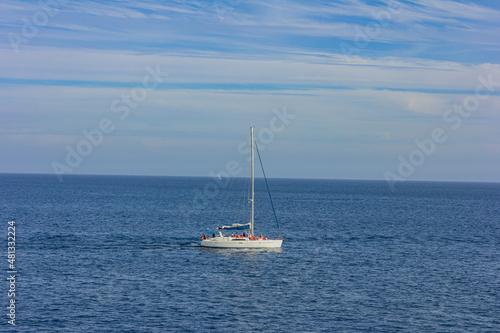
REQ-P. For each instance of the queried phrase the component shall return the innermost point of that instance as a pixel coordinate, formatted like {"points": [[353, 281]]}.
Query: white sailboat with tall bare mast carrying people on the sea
{"points": [[248, 240]]}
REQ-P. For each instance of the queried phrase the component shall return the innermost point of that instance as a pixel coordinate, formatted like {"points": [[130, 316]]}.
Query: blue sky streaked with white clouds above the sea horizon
{"points": [[394, 90]]}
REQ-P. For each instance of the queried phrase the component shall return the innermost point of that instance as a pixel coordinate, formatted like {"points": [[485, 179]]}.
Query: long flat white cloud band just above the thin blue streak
{"points": [[129, 67]]}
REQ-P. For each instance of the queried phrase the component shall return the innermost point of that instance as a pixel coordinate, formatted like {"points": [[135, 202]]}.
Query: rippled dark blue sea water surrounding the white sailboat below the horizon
{"points": [[121, 254]]}
